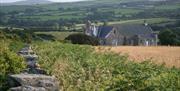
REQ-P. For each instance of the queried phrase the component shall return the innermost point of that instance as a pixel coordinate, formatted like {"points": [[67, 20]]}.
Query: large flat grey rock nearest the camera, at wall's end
{"points": [[33, 82]]}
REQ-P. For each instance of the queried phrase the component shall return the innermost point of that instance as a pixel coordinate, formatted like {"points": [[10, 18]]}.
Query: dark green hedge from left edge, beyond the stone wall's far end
{"points": [[25, 36]]}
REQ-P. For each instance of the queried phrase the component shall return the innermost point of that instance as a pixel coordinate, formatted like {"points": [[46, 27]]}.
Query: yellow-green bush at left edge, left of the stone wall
{"points": [[10, 63]]}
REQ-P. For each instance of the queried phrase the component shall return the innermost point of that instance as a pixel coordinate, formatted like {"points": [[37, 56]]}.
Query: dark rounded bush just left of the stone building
{"points": [[82, 39]]}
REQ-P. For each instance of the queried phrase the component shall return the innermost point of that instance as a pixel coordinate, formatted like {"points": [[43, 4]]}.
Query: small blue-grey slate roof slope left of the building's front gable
{"points": [[103, 31]]}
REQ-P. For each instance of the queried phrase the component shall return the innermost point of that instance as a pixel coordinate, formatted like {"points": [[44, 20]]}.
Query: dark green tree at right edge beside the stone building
{"points": [[169, 37]]}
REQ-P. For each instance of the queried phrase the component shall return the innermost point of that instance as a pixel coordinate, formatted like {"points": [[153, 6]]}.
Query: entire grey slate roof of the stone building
{"points": [[128, 30]]}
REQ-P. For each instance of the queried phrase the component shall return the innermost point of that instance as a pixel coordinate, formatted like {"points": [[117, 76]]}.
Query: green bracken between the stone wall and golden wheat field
{"points": [[79, 68]]}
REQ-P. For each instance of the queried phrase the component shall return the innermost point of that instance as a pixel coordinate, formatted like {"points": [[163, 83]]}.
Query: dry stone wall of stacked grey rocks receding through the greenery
{"points": [[33, 78]]}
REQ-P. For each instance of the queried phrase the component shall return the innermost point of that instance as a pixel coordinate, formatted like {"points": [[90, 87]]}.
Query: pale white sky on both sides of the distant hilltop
{"points": [[7, 1]]}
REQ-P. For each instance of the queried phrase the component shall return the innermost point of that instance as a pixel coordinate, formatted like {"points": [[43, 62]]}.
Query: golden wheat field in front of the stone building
{"points": [[170, 56]]}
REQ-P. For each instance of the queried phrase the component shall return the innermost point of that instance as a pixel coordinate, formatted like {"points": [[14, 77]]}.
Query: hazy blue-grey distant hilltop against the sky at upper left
{"points": [[28, 2]]}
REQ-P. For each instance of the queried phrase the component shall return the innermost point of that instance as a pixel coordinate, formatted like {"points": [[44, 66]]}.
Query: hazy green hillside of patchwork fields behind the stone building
{"points": [[68, 14]]}
